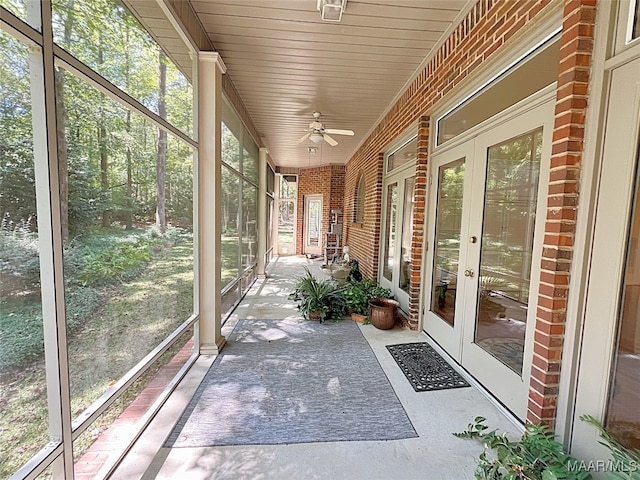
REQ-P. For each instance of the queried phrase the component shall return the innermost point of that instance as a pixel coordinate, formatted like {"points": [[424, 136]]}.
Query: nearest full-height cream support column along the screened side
{"points": [[210, 71]]}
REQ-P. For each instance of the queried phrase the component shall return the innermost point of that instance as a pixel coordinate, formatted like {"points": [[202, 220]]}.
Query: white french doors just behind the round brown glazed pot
{"points": [[397, 227]]}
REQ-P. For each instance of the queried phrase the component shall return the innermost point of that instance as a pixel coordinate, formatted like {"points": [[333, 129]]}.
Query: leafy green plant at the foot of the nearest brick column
{"points": [[536, 456]]}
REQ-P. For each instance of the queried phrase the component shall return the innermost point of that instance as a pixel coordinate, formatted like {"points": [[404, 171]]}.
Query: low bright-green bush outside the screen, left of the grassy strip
{"points": [[121, 261]]}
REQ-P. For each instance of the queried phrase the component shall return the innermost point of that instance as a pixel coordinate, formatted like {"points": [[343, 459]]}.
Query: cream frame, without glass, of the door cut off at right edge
{"points": [[605, 276]]}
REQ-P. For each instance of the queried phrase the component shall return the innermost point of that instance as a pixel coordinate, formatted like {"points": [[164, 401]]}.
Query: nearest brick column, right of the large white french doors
{"points": [[568, 135]]}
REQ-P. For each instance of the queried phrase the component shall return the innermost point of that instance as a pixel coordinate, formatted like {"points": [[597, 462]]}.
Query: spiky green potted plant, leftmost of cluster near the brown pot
{"points": [[318, 299]]}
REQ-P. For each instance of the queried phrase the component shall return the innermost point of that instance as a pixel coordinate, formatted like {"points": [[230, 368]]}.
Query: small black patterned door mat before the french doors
{"points": [[425, 368]]}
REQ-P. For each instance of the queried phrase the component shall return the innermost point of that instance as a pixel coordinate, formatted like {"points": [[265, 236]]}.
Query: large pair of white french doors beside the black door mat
{"points": [[484, 243]]}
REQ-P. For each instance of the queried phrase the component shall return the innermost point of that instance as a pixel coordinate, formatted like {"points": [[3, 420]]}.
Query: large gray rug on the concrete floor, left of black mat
{"points": [[292, 381]]}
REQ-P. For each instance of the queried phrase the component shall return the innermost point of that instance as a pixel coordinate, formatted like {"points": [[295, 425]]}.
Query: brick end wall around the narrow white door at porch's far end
{"points": [[327, 181]]}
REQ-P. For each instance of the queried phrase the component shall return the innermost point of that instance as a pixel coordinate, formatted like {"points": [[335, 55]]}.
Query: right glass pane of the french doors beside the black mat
{"points": [[511, 190]]}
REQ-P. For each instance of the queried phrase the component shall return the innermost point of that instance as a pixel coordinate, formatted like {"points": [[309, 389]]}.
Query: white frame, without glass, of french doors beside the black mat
{"points": [[511, 388]]}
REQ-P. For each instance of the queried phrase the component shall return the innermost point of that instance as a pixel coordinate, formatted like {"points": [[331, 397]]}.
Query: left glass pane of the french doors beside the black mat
{"points": [[447, 240]]}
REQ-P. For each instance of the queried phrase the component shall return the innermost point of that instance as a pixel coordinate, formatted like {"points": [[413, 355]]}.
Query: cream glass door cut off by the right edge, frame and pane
{"points": [[609, 369]]}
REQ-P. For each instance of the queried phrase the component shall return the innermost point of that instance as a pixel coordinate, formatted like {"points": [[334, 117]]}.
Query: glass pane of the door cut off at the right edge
{"points": [[623, 415]]}
